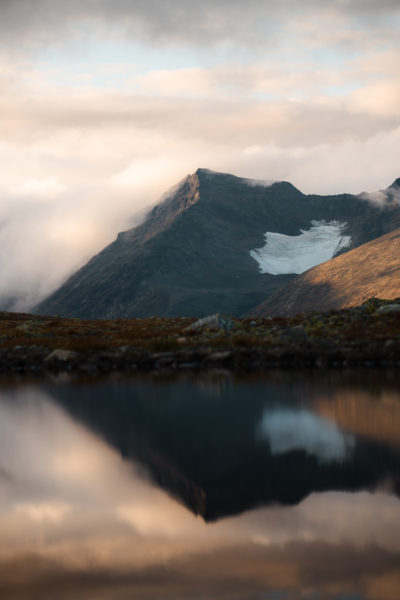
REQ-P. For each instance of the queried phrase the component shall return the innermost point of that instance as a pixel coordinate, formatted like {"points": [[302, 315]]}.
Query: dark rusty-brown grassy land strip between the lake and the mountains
{"points": [[368, 335]]}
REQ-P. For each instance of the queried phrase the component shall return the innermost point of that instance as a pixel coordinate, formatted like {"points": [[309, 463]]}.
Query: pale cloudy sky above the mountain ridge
{"points": [[106, 104]]}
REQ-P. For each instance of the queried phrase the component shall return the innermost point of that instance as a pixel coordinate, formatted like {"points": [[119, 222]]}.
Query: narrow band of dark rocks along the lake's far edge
{"points": [[35, 360]]}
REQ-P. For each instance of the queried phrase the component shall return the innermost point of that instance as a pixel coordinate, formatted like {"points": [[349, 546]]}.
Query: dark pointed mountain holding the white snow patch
{"points": [[203, 249]]}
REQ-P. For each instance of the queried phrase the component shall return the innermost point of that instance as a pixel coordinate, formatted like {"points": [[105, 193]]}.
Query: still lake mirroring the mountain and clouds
{"points": [[274, 487]]}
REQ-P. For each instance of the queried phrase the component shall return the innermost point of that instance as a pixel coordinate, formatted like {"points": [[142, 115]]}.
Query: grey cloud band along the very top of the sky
{"points": [[178, 20]]}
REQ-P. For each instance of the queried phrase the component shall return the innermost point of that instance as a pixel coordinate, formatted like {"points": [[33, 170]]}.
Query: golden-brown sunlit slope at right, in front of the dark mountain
{"points": [[372, 270]]}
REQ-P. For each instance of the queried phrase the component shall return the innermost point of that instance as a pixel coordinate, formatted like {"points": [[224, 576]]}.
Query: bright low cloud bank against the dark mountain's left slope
{"points": [[41, 244]]}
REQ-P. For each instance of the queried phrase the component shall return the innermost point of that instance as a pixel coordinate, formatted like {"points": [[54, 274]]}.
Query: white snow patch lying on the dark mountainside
{"points": [[284, 254]]}
